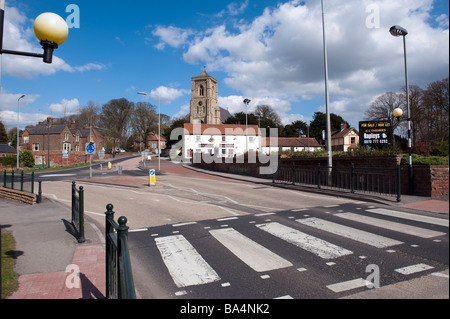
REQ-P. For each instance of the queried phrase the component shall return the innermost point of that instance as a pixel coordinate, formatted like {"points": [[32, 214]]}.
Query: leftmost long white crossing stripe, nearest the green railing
{"points": [[184, 263]]}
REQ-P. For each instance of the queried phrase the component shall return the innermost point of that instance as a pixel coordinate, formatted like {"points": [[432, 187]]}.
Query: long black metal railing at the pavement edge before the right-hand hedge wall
{"points": [[382, 181]]}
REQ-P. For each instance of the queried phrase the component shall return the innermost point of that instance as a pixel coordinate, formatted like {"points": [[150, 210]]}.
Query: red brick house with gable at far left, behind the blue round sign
{"points": [[49, 140]]}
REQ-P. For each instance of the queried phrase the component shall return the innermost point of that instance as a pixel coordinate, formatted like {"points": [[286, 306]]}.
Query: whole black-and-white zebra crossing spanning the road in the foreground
{"points": [[327, 253]]}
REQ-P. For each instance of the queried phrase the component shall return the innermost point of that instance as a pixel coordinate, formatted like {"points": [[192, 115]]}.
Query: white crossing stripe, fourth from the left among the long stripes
{"points": [[349, 232]]}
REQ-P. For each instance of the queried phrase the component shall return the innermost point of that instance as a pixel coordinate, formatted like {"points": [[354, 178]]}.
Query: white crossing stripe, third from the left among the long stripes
{"points": [[310, 243]]}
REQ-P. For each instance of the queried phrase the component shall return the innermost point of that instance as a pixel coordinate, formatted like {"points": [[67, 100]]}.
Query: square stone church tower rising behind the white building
{"points": [[204, 108]]}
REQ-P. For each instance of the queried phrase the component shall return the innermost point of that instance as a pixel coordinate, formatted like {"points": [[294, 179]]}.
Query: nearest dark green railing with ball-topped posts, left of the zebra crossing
{"points": [[119, 276]]}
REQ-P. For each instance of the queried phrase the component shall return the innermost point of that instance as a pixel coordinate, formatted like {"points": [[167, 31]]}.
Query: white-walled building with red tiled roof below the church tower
{"points": [[220, 140]]}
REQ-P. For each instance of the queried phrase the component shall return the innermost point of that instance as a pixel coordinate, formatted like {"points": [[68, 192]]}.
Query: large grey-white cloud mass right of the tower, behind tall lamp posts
{"points": [[280, 53]]}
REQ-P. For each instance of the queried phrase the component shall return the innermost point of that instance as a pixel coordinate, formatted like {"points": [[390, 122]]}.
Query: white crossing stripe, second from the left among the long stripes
{"points": [[254, 255]]}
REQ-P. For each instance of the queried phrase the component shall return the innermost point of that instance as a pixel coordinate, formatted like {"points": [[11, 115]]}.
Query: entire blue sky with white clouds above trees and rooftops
{"points": [[267, 51]]}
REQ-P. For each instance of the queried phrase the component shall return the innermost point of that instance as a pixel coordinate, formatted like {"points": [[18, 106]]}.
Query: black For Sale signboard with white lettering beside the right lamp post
{"points": [[375, 133]]}
